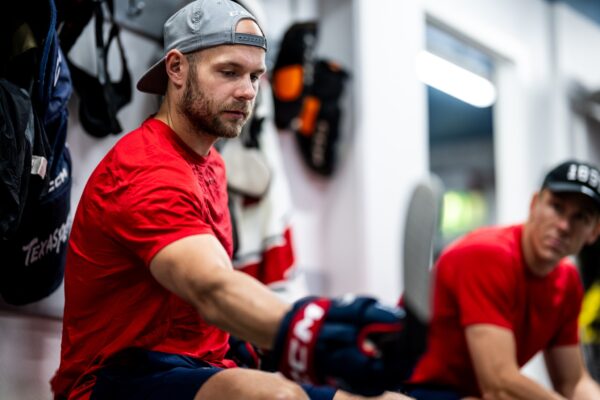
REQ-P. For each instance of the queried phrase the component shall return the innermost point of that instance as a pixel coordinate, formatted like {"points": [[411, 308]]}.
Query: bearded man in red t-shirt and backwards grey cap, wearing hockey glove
{"points": [[150, 292]]}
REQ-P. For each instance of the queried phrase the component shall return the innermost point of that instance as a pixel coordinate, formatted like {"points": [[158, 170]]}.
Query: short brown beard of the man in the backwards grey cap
{"points": [[203, 114]]}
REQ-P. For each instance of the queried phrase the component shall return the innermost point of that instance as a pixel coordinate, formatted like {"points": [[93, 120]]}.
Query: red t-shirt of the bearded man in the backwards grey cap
{"points": [[149, 191]]}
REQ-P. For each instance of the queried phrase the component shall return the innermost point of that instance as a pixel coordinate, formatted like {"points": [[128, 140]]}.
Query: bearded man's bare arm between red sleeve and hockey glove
{"points": [[198, 270]]}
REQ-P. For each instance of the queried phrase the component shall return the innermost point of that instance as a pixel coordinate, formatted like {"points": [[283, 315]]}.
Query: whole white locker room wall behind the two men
{"points": [[348, 228]]}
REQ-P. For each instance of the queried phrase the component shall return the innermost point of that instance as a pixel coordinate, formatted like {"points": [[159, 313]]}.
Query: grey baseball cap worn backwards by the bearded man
{"points": [[199, 25]]}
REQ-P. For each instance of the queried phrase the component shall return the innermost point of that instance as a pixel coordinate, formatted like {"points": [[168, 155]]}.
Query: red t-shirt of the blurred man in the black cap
{"points": [[482, 279]]}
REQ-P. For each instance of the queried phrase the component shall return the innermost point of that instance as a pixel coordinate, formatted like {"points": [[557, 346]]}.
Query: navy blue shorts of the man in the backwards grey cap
{"points": [[141, 374]]}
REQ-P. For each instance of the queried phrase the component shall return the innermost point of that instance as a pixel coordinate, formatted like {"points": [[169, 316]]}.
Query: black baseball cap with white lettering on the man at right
{"points": [[574, 176]]}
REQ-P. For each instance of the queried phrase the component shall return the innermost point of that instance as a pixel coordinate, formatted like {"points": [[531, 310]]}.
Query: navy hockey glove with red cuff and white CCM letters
{"points": [[355, 344]]}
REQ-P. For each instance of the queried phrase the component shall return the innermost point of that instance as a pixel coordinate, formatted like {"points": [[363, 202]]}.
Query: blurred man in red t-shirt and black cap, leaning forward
{"points": [[502, 294]]}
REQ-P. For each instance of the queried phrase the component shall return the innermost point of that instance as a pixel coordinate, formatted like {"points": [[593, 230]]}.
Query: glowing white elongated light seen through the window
{"points": [[454, 80]]}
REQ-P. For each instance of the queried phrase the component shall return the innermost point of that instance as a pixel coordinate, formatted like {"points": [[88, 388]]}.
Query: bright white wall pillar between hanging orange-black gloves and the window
{"points": [[390, 144]]}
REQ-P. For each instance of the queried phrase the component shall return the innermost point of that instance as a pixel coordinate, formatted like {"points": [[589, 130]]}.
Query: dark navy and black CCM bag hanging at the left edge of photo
{"points": [[36, 83]]}
